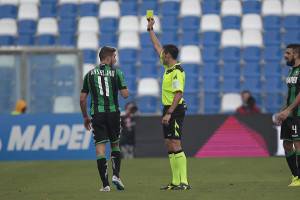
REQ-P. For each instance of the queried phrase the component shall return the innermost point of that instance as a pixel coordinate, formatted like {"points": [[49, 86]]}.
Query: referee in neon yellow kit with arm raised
{"points": [[173, 110]]}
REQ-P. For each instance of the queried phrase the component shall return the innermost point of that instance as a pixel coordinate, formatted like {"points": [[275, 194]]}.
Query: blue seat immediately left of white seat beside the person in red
{"points": [[212, 102]]}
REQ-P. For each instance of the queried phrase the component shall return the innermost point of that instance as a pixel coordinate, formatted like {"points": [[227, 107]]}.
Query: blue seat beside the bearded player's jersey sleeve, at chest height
{"points": [[274, 84]]}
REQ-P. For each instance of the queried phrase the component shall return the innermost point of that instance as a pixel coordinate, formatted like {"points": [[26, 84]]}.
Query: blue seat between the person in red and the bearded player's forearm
{"points": [[274, 102]]}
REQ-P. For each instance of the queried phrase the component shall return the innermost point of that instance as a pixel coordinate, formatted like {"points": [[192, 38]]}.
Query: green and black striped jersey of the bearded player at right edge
{"points": [[293, 83]]}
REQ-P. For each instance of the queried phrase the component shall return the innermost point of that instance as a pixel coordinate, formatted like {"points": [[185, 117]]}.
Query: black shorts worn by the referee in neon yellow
{"points": [[174, 129]]}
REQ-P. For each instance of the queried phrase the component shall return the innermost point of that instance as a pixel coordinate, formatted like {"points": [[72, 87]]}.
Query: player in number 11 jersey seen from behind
{"points": [[103, 83]]}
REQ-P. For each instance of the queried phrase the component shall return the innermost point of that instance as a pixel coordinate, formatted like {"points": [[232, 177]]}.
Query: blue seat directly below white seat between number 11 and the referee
{"points": [[147, 104]]}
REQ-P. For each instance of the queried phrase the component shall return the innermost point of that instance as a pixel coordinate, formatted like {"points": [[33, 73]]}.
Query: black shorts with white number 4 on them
{"points": [[290, 129]]}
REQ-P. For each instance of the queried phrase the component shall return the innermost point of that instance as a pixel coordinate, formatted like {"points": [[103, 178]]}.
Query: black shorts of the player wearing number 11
{"points": [[106, 127]]}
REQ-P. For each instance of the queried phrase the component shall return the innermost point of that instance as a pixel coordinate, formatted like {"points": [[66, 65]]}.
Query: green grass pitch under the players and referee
{"points": [[211, 178]]}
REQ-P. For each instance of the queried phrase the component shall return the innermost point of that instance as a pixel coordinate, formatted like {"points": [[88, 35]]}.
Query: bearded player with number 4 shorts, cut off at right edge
{"points": [[289, 118]]}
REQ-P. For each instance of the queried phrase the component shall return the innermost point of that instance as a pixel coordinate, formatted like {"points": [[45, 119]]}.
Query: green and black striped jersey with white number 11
{"points": [[103, 83]]}
